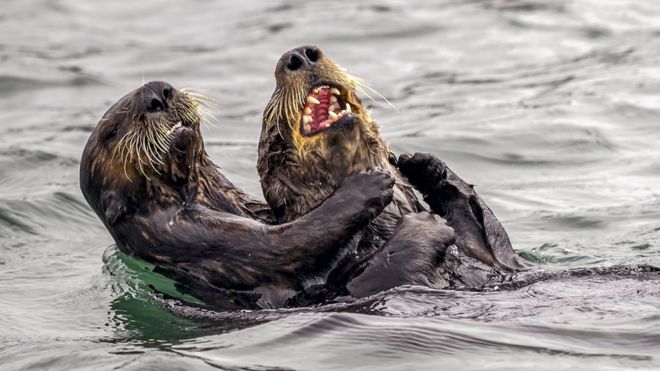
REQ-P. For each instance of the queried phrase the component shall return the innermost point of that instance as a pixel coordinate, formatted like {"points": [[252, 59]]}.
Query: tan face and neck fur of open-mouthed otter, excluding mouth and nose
{"points": [[299, 171]]}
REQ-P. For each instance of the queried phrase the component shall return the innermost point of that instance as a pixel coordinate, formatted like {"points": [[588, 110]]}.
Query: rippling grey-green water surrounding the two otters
{"points": [[550, 107]]}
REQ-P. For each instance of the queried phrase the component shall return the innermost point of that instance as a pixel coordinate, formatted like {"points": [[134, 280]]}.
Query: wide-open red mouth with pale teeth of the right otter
{"points": [[323, 108]]}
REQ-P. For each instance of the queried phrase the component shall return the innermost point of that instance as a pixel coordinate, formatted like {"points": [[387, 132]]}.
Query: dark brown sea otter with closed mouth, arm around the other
{"points": [[145, 173]]}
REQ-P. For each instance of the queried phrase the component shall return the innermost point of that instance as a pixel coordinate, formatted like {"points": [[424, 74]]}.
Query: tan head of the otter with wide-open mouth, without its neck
{"points": [[316, 111]]}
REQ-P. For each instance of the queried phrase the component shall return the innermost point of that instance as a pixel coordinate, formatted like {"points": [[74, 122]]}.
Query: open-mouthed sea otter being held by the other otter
{"points": [[316, 132]]}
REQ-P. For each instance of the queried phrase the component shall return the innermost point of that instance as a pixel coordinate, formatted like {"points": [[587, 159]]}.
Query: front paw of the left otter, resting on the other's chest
{"points": [[374, 187]]}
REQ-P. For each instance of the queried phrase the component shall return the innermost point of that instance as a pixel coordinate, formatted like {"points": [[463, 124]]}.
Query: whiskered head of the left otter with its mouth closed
{"points": [[148, 143]]}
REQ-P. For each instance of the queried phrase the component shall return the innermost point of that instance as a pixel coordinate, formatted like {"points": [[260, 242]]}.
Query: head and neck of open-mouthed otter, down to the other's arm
{"points": [[315, 132]]}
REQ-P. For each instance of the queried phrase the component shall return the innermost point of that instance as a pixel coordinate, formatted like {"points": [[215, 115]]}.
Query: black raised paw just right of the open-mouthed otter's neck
{"points": [[423, 170]]}
